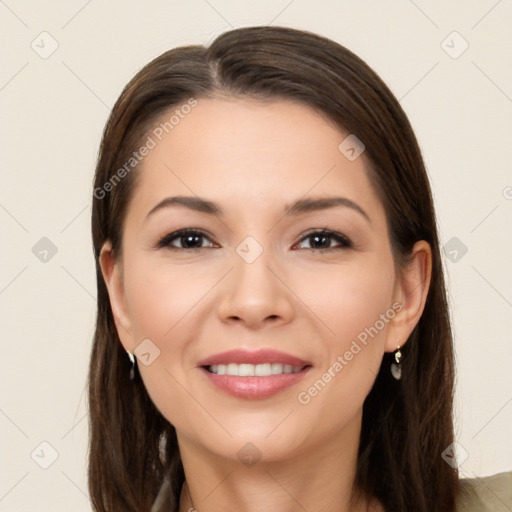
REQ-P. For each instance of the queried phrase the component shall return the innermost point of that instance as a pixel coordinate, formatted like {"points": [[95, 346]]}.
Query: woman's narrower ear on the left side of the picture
{"points": [[112, 275]]}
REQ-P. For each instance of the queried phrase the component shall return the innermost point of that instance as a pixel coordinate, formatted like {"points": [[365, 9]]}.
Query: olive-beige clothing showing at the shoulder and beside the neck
{"points": [[480, 494]]}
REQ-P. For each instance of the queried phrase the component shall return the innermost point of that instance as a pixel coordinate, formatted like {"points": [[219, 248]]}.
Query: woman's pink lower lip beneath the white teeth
{"points": [[254, 388]]}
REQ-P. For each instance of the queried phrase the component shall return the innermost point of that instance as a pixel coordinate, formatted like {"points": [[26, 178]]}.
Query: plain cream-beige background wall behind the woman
{"points": [[54, 106]]}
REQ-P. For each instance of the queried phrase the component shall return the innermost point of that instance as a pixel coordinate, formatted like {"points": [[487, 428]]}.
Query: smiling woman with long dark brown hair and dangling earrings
{"points": [[272, 327]]}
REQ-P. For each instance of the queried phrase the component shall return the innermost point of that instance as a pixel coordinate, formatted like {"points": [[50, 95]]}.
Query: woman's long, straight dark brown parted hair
{"points": [[406, 424]]}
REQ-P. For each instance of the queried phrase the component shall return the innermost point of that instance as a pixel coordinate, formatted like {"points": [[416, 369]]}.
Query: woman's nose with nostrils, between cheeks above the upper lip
{"points": [[255, 294]]}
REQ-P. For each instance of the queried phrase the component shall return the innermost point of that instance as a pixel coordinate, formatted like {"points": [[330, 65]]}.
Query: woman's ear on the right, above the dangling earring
{"points": [[411, 292]]}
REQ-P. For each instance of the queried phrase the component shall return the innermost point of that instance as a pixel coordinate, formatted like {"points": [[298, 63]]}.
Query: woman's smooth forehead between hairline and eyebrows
{"points": [[249, 155]]}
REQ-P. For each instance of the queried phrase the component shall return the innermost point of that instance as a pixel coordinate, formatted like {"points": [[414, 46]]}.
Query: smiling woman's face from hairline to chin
{"points": [[254, 278]]}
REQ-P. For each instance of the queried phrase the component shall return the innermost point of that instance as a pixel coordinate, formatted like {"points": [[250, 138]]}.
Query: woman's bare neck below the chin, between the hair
{"points": [[316, 480]]}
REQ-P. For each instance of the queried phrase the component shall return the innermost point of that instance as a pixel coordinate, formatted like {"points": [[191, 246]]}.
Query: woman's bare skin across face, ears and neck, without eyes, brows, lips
{"points": [[254, 158]]}
